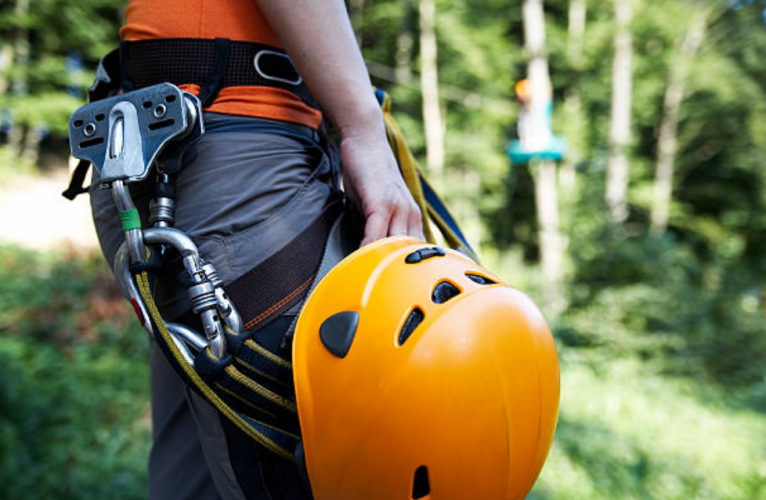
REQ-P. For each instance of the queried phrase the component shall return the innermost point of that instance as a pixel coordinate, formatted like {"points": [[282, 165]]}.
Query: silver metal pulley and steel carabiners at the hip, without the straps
{"points": [[124, 137]]}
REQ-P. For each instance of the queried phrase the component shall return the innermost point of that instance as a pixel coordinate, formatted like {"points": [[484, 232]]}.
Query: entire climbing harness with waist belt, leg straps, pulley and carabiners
{"points": [[139, 137]]}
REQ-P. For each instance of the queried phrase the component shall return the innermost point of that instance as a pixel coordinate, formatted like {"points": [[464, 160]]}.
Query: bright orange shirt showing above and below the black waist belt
{"points": [[240, 20]]}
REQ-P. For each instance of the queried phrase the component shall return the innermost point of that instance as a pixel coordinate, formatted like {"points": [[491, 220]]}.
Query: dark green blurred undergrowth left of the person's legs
{"points": [[73, 404]]}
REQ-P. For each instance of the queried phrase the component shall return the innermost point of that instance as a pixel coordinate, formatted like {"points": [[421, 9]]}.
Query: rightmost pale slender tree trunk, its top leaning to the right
{"points": [[667, 142]]}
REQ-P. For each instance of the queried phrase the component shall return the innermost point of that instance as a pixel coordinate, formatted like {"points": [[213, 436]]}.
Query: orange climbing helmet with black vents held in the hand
{"points": [[419, 374]]}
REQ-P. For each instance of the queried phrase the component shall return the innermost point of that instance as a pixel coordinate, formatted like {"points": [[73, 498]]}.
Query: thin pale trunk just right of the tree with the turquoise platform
{"points": [[572, 106]]}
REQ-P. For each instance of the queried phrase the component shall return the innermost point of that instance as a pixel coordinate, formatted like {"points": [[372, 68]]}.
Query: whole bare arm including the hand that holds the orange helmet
{"points": [[318, 37]]}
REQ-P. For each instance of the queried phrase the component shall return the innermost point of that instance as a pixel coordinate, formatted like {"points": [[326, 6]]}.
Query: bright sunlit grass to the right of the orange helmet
{"points": [[628, 432]]}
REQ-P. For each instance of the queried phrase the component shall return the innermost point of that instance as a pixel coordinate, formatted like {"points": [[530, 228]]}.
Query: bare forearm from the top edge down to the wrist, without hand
{"points": [[318, 36]]}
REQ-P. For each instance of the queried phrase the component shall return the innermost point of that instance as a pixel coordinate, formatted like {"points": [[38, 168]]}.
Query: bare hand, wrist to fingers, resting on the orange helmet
{"points": [[372, 179]]}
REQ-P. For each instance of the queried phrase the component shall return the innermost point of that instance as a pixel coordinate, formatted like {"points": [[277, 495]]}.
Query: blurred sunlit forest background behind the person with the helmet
{"points": [[655, 291]]}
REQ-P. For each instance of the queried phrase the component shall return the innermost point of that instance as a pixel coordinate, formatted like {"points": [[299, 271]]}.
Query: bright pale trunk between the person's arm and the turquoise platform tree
{"points": [[429, 82]]}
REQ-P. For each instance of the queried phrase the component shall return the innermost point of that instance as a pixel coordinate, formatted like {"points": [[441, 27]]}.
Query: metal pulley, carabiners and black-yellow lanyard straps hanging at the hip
{"points": [[140, 135]]}
